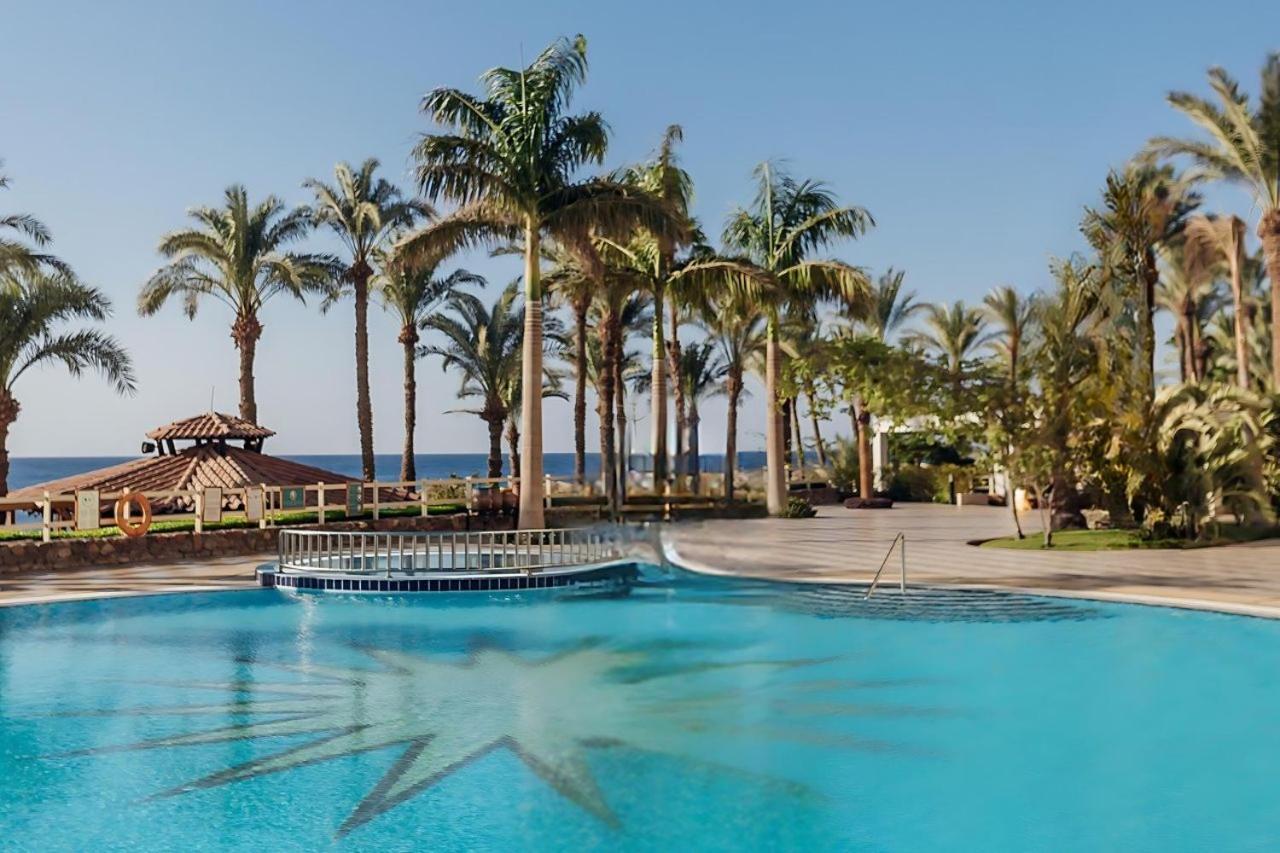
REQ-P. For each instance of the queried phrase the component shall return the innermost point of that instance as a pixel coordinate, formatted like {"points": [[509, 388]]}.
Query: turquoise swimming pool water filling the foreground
{"points": [[696, 715]]}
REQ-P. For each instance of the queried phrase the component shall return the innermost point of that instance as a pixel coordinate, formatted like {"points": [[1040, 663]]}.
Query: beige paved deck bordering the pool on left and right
{"points": [[838, 546]]}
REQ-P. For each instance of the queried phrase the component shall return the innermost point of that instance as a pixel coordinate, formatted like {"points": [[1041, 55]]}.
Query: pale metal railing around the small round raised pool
{"points": [[337, 551]]}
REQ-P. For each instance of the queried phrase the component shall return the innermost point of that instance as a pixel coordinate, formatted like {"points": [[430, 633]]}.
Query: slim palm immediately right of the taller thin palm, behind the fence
{"points": [[413, 293]]}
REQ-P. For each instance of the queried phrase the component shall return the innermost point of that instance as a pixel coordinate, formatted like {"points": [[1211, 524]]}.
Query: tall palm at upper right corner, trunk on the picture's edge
{"points": [[1244, 148]]}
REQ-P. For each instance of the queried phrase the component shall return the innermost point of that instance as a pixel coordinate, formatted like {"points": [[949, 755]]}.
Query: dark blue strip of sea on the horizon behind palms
{"points": [[29, 471]]}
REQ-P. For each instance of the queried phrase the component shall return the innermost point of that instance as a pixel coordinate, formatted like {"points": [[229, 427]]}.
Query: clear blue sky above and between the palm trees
{"points": [[973, 133]]}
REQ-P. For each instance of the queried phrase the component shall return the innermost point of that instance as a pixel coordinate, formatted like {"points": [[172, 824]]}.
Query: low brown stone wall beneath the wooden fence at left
{"points": [[28, 555]]}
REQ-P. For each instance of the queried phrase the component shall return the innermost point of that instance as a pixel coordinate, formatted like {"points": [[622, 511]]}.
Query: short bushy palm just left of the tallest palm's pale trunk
{"points": [[484, 346]]}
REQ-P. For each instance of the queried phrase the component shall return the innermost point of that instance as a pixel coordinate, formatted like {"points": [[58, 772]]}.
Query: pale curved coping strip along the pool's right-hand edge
{"points": [[1204, 605]]}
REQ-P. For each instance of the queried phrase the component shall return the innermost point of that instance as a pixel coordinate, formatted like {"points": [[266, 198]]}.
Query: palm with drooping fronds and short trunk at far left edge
{"points": [[34, 308]]}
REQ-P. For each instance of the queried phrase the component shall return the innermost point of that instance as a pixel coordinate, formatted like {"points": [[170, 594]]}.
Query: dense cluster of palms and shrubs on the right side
{"points": [[1063, 389]]}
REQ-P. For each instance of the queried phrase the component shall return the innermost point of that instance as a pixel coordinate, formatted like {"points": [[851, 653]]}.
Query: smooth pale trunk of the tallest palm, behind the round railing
{"points": [[532, 516]]}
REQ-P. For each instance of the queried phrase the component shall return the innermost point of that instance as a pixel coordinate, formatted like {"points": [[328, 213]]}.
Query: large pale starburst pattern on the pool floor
{"points": [[550, 711]]}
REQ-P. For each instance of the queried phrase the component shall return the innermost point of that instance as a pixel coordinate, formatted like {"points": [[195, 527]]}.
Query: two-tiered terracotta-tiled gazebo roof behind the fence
{"points": [[211, 460]]}
